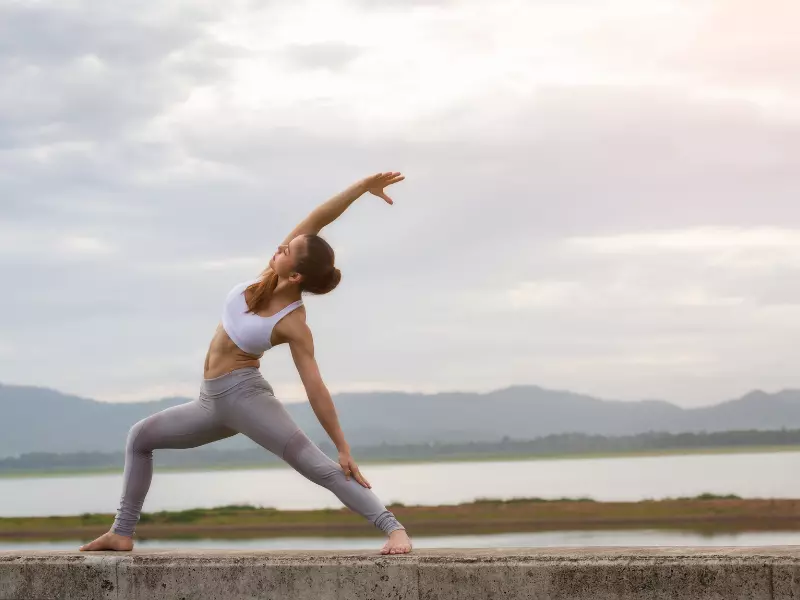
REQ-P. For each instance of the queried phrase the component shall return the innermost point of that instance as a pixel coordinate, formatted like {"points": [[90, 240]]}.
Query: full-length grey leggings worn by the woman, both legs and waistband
{"points": [[238, 402]]}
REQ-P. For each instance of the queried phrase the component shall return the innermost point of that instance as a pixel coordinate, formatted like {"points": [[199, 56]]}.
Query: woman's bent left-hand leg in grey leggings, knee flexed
{"points": [[185, 426]]}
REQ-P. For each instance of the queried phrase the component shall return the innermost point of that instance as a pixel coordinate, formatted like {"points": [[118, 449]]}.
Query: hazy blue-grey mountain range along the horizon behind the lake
{"points": [[34, 419]]}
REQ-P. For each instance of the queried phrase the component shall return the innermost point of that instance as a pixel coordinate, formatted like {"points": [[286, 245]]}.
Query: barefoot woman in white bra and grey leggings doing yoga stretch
{"points": [[234, 398]]}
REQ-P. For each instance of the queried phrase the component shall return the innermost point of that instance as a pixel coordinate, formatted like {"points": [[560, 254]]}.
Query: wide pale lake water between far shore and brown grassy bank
{"points": [[757, 475]]}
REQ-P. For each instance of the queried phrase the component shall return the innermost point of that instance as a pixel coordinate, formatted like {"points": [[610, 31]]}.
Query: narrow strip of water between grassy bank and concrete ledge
{"points": [[504, 540]]}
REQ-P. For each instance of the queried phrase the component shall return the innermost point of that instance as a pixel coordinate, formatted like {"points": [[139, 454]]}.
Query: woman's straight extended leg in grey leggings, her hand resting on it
{"points": [[255, 412]]}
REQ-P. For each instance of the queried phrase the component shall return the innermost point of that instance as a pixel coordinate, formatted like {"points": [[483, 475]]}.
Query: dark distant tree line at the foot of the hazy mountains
{"points": [[556, 444]]}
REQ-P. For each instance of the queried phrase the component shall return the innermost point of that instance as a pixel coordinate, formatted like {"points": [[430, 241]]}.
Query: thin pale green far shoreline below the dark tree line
{"points": [[400, 461]]}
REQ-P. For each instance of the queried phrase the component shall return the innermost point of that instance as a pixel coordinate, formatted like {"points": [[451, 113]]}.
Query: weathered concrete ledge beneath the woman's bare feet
{"points": [[766, 573]]}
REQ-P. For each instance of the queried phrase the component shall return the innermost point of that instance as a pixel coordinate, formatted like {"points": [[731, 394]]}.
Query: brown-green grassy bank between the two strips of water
{"points": [[704, 514]]}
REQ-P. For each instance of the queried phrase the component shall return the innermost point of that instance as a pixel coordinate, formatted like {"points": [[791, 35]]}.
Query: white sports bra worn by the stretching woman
{"points": [[250, 332]]}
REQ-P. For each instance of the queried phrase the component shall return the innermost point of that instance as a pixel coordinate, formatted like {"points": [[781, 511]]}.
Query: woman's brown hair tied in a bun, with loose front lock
{"points": [[316, 267]]}
